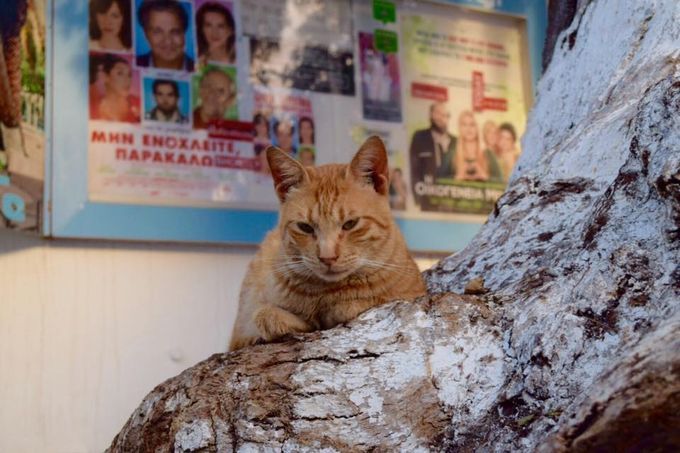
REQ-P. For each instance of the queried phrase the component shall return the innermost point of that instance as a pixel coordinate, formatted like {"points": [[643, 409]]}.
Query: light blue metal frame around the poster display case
{"points": [[69, 213]]}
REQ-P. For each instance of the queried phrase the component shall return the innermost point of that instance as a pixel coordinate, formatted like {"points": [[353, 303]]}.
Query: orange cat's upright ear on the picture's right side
{"points": [[370, 165]]}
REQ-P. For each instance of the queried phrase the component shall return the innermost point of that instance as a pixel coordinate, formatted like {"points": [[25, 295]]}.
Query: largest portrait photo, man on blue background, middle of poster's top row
{"points": [[164, 35]]}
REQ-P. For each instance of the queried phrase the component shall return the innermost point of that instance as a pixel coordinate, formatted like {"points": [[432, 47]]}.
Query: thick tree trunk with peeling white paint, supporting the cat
{"points": [[574, 346]]}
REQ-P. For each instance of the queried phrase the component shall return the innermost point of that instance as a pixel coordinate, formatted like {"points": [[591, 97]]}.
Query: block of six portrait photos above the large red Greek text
{"points": [[162, 62]]}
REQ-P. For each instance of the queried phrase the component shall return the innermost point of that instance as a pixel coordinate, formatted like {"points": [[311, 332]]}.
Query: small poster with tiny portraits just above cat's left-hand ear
{"points": [[284, 118]]}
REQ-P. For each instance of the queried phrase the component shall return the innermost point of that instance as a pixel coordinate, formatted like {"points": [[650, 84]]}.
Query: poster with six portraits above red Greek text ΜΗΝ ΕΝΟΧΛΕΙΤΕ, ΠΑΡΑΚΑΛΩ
{"points": [[163, 100]]}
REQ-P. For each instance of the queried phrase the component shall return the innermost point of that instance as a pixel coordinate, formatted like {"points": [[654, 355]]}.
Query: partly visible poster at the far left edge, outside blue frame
{"points": [[22, 119]]}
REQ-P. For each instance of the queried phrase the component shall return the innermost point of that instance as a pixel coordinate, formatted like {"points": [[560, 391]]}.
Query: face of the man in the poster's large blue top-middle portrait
{"points": [[166, 37]]}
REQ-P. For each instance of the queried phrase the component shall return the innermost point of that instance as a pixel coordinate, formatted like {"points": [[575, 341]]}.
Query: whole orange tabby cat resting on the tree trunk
{"points": [[335, 253]]}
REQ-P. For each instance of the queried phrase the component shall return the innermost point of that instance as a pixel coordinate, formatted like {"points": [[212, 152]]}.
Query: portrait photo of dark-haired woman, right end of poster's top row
{"points": [[215, 32]]}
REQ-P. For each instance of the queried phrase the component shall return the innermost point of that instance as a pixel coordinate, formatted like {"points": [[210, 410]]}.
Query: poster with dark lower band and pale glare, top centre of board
{"points": [[301, 44]]}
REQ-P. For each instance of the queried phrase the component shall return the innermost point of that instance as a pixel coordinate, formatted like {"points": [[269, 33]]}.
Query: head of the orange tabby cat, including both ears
{"points": [[335, 219]]}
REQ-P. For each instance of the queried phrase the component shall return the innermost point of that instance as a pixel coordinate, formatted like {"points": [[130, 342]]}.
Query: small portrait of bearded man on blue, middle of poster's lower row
{"points": [[166, 100]]}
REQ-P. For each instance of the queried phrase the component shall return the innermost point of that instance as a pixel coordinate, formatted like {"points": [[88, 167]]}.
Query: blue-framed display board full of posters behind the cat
{"points": [[161, 110]]}
